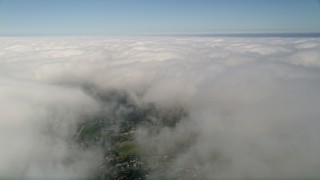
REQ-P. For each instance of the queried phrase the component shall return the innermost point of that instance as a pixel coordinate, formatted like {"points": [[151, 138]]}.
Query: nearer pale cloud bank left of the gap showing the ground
{"points": [[36, 120]]}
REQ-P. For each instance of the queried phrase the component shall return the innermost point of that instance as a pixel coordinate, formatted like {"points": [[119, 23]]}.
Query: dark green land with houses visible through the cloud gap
{"points": [[114, 131]]}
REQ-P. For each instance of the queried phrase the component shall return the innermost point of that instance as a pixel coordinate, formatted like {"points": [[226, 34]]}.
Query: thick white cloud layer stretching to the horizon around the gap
{"points": [[253, 103]]}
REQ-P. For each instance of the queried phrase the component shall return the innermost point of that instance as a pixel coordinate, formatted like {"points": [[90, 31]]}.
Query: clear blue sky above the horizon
{"points": [[138, 17]]}
